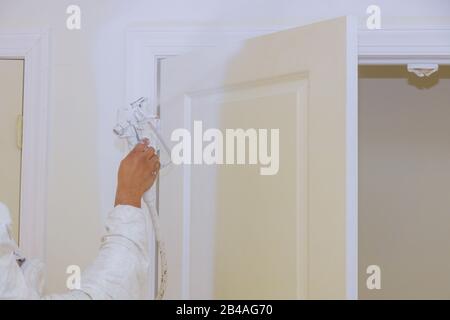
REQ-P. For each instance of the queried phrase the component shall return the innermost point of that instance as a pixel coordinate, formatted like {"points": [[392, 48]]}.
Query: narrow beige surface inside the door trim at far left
{"points": [[11, 92]]}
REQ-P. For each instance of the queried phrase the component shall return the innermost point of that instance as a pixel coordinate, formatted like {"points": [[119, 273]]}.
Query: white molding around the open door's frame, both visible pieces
{"points": [[386, 46]]}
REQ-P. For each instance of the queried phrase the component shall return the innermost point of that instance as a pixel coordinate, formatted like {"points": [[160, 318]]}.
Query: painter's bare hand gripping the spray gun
{"points": [[137, 173]]}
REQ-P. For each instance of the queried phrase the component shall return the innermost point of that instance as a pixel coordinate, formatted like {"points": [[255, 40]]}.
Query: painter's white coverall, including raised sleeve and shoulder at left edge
{"points": [[120, 271]]}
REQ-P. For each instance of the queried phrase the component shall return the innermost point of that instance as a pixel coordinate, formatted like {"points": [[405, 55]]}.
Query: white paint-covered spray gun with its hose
{"points": [[136, 122]]}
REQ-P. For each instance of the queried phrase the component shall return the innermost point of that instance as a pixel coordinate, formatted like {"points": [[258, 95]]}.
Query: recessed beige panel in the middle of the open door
{"points": [[245, 204]]}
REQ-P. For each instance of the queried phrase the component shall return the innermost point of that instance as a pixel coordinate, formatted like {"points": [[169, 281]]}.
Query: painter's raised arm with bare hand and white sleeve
{"points": [[121, 268]]}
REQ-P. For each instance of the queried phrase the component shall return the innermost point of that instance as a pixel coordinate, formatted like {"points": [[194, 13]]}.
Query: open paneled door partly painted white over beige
{"points": [[232, 231]]}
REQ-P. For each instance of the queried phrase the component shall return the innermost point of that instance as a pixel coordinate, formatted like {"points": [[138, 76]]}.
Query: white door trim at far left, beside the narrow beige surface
{"points": [[32, 47]]}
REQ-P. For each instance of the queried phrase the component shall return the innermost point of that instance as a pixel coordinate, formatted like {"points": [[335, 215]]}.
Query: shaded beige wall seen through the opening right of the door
{"points": [[404, 203]]}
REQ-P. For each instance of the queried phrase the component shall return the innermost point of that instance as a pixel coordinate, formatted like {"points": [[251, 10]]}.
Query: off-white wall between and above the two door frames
{"points": [[87, 86]]}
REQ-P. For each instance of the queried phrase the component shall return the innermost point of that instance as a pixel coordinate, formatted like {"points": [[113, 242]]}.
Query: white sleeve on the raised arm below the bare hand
{"points": [[121, 269]]}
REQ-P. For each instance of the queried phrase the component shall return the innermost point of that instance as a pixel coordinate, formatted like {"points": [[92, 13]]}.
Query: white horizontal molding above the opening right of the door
{"points": [[403, 46]]}
